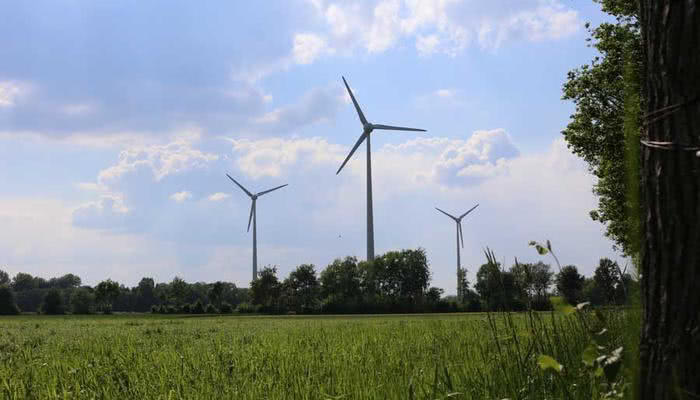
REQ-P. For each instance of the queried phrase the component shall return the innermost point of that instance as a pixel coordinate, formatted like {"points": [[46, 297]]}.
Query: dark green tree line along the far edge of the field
{"points": [[395, 282]]}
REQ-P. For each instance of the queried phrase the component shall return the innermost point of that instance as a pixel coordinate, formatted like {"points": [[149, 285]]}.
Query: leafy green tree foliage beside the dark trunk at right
{"points": [[604, 129]]}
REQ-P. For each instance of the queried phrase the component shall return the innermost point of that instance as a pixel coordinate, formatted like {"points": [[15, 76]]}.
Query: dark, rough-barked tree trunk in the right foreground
{"points": [[670, 342]]}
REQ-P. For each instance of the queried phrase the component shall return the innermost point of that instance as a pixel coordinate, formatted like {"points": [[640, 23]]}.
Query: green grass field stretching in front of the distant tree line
{"points": [[256, 357]]}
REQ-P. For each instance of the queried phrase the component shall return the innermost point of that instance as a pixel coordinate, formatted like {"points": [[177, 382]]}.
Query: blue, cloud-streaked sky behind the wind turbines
{"points": [[119, 121]]}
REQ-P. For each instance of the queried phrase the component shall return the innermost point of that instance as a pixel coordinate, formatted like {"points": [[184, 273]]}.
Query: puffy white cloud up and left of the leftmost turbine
{"points": [[174, 157]]}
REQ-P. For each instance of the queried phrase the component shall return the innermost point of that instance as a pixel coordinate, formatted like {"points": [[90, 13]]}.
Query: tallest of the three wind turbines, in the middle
{"points": [[367, 129]]}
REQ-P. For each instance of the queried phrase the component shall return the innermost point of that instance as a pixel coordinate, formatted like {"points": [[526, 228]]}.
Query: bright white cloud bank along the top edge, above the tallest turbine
{"points": [[440, 26]]}
